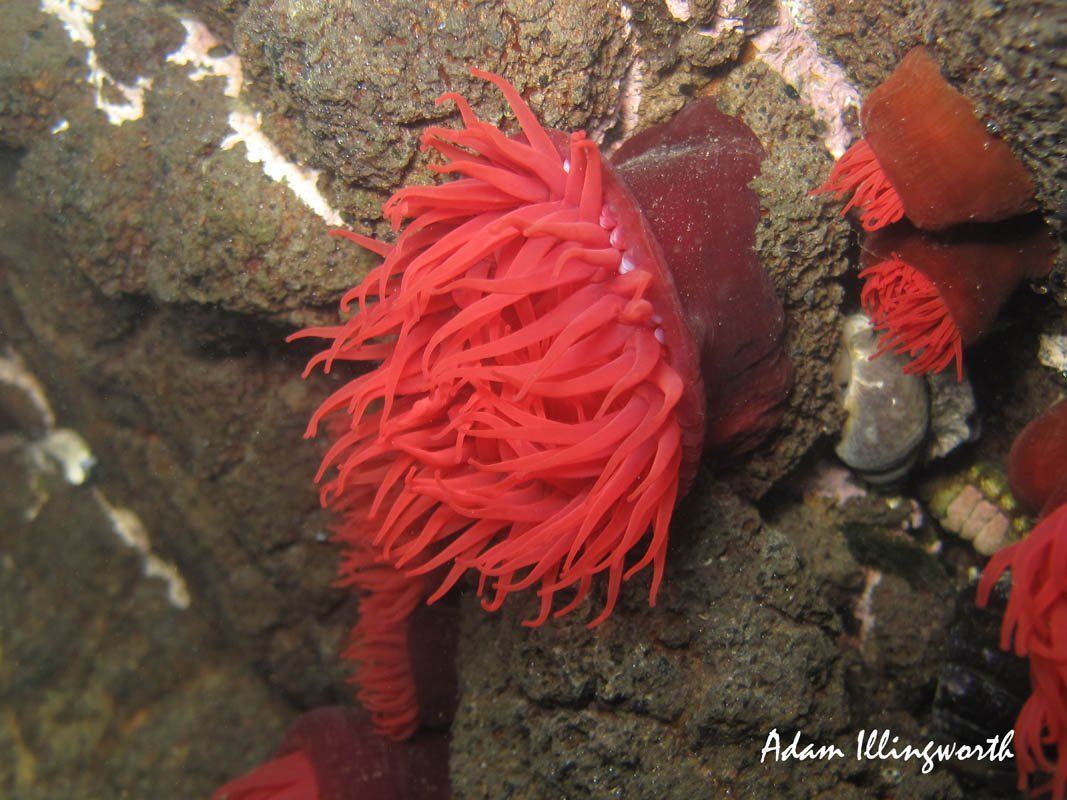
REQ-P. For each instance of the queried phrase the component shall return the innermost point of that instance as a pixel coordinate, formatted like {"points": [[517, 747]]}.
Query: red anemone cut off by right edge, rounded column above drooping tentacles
{"points": [[1036, 622]]}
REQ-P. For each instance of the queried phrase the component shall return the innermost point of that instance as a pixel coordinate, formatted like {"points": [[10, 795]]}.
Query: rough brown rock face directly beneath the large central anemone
{"points": [[756, 631]]}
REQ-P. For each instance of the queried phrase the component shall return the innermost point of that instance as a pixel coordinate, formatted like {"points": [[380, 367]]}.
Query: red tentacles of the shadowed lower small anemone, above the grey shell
{"points": [[907, 309]]}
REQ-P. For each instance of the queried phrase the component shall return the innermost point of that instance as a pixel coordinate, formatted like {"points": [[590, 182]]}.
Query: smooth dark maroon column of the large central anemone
{"points": [[691, 179]]}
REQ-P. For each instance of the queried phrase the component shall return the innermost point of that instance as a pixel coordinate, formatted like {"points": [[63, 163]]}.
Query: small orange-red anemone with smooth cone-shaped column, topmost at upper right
{"points": [[928, 156]]}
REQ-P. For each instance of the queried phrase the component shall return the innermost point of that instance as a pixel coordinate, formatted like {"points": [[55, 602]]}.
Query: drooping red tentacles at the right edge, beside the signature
{"points": [[1036, 623]]}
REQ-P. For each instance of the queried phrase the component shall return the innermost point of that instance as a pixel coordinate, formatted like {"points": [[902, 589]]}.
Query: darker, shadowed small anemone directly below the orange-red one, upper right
{"points": [[932, 295]]}
